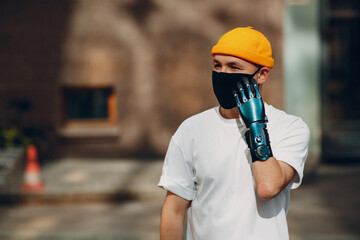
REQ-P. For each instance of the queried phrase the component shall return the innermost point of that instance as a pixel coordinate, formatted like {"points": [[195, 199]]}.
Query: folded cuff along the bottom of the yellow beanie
{"points": [[244, 54]]}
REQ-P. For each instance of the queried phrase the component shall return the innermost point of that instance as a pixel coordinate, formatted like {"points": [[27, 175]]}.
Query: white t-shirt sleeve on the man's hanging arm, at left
{"points": [[177, 173]]}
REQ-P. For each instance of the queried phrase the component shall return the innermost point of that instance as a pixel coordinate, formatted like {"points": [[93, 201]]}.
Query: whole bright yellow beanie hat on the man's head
{"points": [[245, 43]]}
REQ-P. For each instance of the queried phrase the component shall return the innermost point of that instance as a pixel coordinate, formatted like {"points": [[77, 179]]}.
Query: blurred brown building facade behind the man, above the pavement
{"points": [[115, 78]]}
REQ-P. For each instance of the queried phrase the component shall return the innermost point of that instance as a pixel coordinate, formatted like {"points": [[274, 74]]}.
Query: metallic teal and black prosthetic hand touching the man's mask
{"points": [[252, 111]]}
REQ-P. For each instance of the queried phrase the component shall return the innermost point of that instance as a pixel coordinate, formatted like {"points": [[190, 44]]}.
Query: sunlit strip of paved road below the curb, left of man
{"points": [[128, 220]]}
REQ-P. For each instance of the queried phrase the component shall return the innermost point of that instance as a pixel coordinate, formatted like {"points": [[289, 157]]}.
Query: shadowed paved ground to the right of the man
{"points": [[328, 207]]}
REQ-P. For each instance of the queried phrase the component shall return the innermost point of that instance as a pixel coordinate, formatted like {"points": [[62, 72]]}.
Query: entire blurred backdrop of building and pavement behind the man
{"points": [[99, 87]]}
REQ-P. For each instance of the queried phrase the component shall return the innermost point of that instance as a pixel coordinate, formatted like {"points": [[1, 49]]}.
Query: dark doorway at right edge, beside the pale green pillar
{"points": [[340, 80]]}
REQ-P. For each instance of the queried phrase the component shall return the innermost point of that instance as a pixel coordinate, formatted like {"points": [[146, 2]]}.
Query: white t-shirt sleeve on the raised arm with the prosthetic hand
{"points": [[292, 148]]}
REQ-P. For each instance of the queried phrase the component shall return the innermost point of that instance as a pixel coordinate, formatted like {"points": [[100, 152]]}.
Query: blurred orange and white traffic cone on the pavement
{"points": [[32, 179]]}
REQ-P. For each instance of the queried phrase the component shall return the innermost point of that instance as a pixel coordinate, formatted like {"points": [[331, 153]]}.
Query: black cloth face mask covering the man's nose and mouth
{"points": [[225, 83]]}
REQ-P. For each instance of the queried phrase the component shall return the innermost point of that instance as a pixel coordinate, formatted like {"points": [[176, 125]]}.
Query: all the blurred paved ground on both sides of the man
{"points": [[326, 208]]}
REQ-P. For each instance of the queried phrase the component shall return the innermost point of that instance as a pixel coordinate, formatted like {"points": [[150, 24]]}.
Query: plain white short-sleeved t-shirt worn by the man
{"points": [[208, 162]]}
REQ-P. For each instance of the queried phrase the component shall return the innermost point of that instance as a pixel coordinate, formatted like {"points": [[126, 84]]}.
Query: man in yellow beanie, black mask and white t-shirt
{"points": [[229, 170]]}
